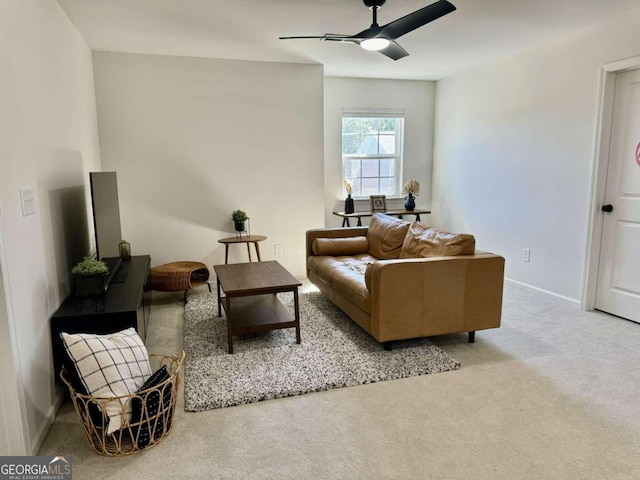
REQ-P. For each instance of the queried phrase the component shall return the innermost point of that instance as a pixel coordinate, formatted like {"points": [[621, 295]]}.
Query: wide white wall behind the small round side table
{"points": [[193, 139]]}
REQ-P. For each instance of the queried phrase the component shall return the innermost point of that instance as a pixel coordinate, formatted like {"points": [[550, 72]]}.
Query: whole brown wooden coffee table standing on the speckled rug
{"points": [[250, 300]]}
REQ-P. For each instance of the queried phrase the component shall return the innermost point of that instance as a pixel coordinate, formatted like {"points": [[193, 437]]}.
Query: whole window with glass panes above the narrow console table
{"points": [[372, 144]]}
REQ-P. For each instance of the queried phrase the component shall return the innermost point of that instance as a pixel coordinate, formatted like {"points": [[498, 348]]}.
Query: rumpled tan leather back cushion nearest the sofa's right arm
{"points": [[424, 241]]}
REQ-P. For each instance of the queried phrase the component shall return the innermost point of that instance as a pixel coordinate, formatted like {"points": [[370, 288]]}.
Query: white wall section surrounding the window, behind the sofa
{"points": [[415, 97]]}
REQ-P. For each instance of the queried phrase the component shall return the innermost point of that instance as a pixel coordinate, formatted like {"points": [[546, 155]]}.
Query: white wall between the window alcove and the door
{"points": [[514, 153]]}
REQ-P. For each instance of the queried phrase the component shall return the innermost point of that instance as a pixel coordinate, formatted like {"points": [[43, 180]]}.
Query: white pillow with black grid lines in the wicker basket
{"points": [[112, 365]]}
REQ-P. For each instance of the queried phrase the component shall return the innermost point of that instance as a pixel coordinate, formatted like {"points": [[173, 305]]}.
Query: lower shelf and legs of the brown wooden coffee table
{"points": [[257, 313]]}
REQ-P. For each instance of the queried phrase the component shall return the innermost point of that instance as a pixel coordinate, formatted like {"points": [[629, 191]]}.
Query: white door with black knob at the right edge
{"points": [[618, 290]]}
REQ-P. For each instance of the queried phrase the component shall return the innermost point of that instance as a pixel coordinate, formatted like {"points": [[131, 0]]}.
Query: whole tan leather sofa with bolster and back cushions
{"points": [[401, 280]]}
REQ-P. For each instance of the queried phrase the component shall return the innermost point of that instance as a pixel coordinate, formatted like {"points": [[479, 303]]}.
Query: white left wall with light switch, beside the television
{"points": [[49, 143]]}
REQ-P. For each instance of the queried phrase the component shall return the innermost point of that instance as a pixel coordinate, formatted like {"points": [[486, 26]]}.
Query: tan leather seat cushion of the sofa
{"points": [[346, 276]]}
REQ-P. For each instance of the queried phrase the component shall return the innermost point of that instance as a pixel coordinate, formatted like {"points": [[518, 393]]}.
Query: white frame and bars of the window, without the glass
{"points": [[399, 147]]}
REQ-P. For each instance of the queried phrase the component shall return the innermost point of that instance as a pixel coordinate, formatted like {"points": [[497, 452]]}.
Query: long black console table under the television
{"points": [[124, 304]]}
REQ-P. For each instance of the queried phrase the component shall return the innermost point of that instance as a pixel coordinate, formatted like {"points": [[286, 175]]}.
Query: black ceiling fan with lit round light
{"points": [[383, 38]]}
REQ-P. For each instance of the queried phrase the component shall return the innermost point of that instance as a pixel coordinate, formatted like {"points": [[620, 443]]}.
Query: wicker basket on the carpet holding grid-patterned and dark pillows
{"points": [[125, 397]]}
